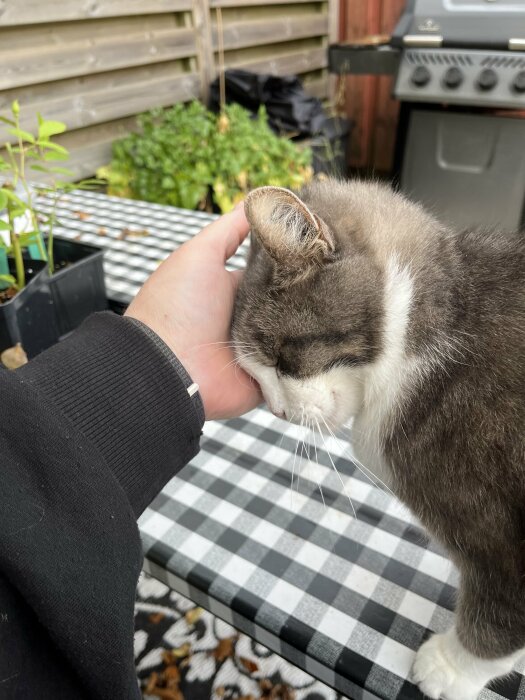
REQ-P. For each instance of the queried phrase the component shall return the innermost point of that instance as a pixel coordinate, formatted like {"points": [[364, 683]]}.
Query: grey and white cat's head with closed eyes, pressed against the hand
{"points": [[309, 313]]}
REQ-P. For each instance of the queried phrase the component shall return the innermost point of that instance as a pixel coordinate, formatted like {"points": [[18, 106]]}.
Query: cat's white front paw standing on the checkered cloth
{"points": [[438, 676]]}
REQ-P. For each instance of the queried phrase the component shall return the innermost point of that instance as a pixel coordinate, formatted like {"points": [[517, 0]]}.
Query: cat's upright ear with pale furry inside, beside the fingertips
{"points": [[296, 238]]}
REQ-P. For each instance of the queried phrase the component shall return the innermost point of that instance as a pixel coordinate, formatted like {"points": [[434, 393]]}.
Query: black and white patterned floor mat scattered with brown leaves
{"points": [[184, 653]]}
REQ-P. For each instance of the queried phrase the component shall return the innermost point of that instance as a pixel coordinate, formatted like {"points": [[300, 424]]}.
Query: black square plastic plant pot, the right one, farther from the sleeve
{"points": [[77, 286]]}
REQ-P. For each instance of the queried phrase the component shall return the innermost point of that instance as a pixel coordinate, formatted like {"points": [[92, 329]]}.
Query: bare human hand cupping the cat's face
{"points": [[188, 302]]}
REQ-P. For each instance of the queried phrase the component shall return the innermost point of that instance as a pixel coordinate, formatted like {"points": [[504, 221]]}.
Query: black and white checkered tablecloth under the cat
{"points": [[348, 599]]}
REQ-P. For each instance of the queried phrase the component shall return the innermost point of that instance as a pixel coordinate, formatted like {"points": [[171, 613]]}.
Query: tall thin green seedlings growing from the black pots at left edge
{"points": [[23, 221]]}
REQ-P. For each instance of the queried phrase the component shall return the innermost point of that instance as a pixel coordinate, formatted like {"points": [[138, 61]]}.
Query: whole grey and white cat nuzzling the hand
{"points": [[356, 303]]}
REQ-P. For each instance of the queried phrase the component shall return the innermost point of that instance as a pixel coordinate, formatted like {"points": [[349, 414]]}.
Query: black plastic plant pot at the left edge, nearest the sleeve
{"points": [[29, 317]]}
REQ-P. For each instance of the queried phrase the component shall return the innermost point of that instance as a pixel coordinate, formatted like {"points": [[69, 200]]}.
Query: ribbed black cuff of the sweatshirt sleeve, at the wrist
{"points": [[120, 385]]}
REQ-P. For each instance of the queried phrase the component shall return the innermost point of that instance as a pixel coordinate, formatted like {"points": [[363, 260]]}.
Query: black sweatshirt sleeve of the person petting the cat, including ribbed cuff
{"points": [[90, 431]]}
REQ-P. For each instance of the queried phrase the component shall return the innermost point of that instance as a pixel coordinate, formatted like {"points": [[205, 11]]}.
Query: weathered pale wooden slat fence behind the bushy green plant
{"points": [[95, 64]]}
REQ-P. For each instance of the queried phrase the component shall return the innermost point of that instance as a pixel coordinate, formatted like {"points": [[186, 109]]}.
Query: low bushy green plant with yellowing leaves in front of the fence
{"points": [[182, 154]]}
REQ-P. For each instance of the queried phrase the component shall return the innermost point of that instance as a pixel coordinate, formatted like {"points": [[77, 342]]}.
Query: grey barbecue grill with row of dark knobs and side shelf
{"points": [[459, 69]]}
